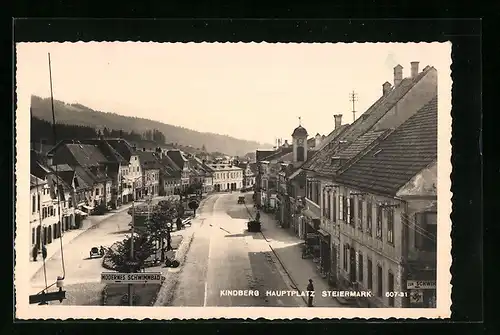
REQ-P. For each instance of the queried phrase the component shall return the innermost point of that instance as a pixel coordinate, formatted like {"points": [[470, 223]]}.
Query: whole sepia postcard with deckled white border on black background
{"points": [[224, 180]]}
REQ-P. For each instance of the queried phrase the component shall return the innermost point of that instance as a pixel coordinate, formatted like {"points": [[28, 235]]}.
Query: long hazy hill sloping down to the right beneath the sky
{"points": [[77, 114]]}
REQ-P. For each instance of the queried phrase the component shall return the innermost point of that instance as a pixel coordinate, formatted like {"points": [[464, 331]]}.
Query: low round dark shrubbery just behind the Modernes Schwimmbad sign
{"points": [[120, 256]]}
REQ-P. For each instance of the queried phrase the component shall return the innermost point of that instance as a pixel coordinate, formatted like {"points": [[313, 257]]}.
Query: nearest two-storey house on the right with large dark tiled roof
{"points": [[384, 204]]}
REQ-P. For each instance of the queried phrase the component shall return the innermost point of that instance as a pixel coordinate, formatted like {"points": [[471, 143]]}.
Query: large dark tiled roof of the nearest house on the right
{"points": [[398, 158]]}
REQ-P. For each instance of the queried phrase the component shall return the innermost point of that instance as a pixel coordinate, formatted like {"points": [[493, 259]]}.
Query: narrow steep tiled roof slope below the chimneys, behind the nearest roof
{"points": [[322, 162]]}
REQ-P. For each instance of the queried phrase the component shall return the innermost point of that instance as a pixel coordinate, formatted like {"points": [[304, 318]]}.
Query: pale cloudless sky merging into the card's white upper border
{"points": [[253, 91]]}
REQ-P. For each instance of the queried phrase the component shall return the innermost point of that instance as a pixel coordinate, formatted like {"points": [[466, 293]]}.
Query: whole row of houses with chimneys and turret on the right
{"points": [[364, 197]]}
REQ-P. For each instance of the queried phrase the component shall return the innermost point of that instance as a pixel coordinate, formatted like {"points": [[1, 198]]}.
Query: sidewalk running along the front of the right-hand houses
{"points": [[288, 250]]}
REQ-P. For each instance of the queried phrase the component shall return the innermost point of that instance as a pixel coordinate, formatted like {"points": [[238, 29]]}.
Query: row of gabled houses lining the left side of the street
{"points": [[75, 179]]}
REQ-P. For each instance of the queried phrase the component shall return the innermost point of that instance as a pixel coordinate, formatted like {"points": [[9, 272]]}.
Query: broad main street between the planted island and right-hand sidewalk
{"points": [[224, 256]]}
